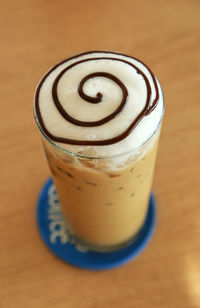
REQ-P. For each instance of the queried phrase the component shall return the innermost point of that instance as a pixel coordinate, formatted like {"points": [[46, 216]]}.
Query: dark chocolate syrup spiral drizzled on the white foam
{"points": [[148, 108]]}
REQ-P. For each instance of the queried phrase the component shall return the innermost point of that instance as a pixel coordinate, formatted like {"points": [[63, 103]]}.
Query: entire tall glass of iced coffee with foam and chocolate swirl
{"points": [[100, 115]]}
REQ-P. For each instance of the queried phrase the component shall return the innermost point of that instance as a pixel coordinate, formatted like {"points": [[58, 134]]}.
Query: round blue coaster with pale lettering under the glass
{"points": [[55, 233]]}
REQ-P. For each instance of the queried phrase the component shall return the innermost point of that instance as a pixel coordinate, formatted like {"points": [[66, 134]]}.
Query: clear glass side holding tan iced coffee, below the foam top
{"points": [[105, 207]]}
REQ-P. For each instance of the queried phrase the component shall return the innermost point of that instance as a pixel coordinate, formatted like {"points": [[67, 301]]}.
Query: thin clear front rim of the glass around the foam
{"points": [[57, 146]]}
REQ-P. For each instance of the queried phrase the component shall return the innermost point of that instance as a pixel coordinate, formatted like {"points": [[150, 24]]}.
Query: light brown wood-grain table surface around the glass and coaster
{"points": [[165, 35]]}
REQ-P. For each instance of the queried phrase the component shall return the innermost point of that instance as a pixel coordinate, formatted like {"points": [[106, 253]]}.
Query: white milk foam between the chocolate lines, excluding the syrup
{"points": [[78, 108]]}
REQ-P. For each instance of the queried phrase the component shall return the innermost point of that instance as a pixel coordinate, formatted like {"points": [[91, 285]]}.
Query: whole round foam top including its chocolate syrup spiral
{"points": [[101, 103]]}
